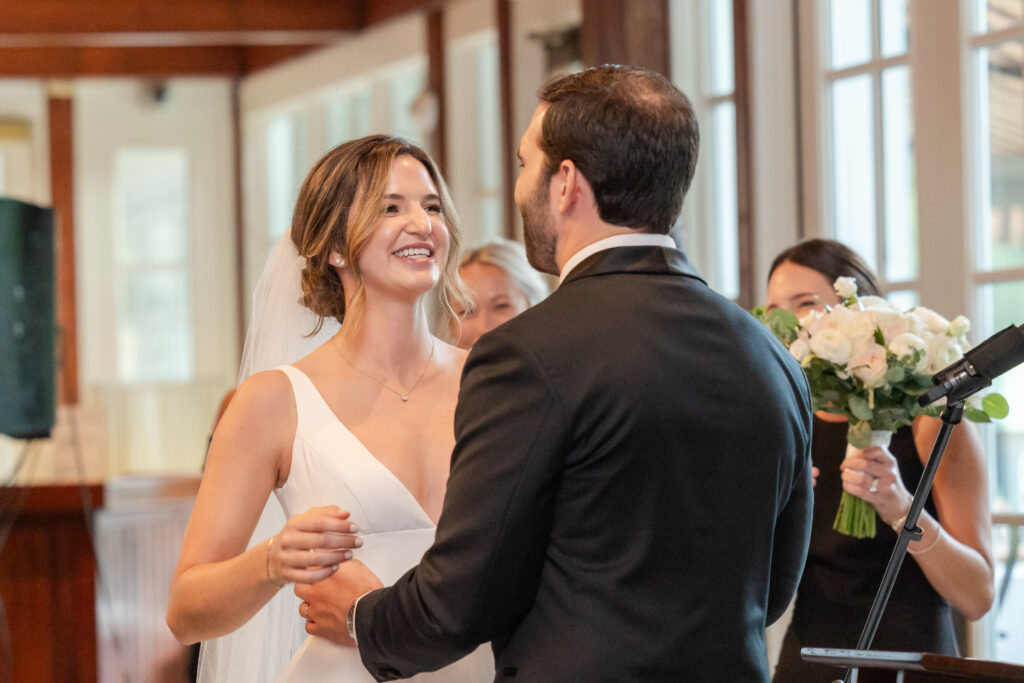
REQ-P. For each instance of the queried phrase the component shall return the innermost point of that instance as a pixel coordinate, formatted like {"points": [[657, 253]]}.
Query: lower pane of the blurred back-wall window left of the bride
{"points": [[155, 331]]}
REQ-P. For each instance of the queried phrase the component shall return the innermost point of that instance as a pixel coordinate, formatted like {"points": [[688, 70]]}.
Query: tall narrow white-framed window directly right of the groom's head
{"points": [[703, 67]]}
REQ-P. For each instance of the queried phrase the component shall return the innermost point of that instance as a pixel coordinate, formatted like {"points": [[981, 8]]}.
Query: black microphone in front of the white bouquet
{"points": [[978, 368]]}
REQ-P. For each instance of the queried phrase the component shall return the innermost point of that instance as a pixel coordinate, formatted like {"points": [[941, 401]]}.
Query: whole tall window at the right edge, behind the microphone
{"points": [[997, 53]]}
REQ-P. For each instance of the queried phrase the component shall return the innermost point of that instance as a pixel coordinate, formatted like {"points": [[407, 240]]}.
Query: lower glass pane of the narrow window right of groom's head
{"points": [[727, 277]]}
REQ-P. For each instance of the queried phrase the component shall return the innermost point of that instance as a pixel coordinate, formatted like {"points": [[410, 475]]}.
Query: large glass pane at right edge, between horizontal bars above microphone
{"points": [[1002, 127]]}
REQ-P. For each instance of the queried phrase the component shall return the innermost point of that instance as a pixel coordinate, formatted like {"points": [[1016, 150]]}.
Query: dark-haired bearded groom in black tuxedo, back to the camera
{"points": [[630, 492]]}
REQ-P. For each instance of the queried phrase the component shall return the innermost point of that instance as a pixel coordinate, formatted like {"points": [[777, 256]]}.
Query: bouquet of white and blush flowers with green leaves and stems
{"points": [[870, 362]]}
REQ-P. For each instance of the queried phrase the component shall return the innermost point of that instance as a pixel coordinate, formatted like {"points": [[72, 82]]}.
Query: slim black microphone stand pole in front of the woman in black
{"points": [[952, 416]]}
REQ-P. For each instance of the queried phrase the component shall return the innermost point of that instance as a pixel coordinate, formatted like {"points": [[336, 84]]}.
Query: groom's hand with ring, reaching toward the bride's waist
{"points": [[325, 605]]}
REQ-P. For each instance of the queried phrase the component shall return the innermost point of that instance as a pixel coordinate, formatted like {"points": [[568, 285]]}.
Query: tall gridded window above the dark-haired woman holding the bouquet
{"points": [[869, 137]]}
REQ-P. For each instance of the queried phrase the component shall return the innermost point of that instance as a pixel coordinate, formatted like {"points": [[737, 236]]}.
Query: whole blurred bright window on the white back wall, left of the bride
{"points": [[155, 337]]}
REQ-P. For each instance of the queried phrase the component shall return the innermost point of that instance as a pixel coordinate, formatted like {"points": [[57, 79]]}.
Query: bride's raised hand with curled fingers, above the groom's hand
{"points": [[312, 546]]}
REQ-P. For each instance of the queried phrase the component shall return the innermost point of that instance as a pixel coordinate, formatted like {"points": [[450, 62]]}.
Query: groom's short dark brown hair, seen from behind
{"points": [[632, 135]]}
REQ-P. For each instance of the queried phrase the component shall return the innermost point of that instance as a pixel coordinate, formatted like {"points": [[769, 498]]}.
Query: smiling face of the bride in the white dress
{"points": [[408, 250]]}
